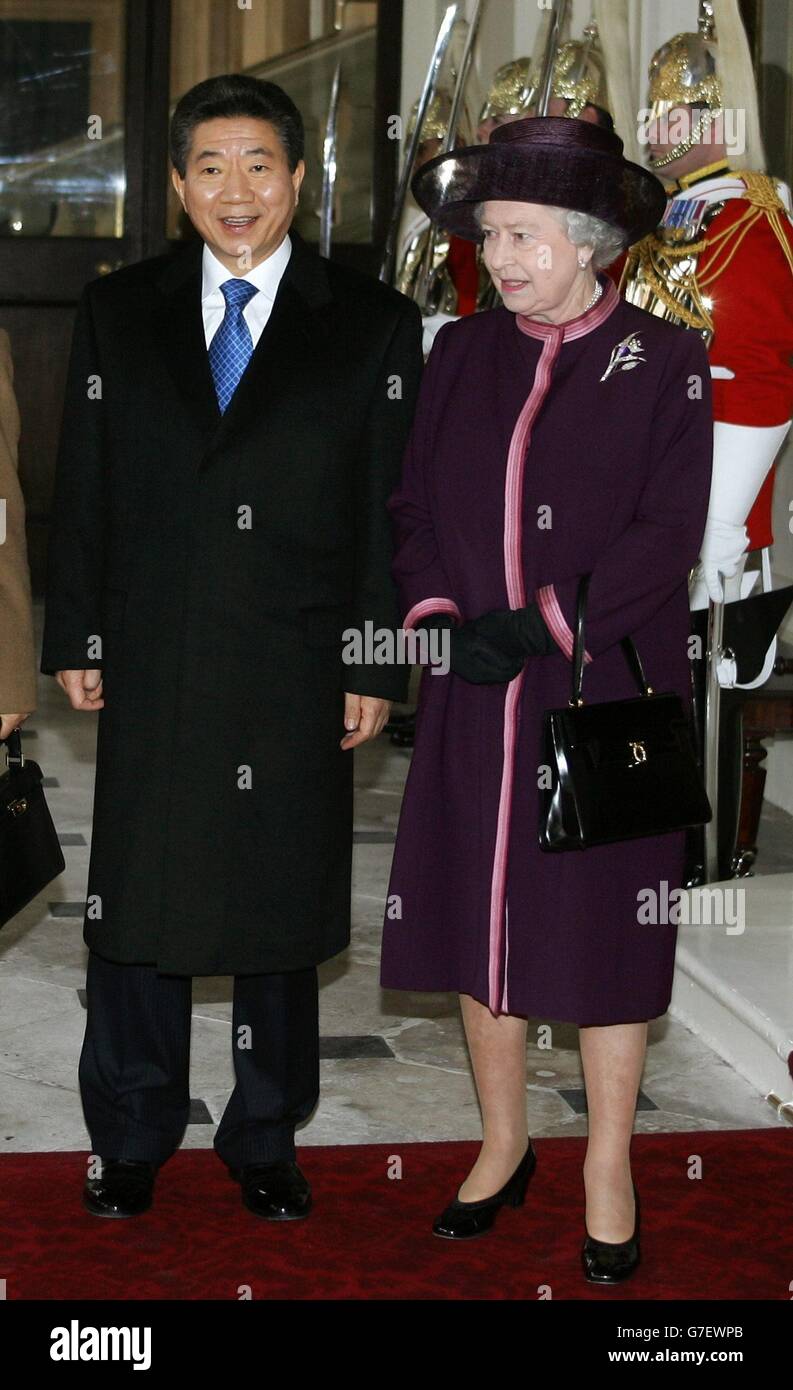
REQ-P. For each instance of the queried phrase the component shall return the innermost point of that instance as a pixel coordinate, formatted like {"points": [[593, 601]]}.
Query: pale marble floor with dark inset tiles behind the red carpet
{"points": [[394, 1065]]}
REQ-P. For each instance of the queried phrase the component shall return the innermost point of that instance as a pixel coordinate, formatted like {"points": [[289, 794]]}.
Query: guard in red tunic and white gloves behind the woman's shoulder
{"points": [[721, 263]]}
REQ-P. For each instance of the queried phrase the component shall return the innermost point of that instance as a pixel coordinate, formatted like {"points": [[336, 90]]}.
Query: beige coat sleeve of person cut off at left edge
{"points": [[17, 658]]}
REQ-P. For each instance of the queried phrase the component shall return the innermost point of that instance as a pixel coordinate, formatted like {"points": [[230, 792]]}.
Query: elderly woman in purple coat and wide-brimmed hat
{"points": [[562, 434]]}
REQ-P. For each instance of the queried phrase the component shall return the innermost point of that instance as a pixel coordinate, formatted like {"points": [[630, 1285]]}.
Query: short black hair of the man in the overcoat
{"points": [[237, 95]]}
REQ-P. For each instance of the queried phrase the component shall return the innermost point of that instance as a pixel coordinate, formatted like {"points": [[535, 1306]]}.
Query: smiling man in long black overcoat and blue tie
{"points": [[235, 419]]}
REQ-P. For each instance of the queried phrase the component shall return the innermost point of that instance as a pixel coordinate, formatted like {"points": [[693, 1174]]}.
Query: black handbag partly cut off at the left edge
{"points": [[30, 853]]}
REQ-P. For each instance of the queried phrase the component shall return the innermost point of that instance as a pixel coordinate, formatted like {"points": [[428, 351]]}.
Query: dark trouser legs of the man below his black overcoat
{"points": [[134, 1070]]}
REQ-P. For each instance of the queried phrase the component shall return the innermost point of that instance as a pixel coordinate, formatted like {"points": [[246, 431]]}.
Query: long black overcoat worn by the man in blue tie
{"points": [[220, 559]]}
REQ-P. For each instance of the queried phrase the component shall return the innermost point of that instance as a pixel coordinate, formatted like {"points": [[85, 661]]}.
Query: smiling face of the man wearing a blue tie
{"points": [[238, 190]]}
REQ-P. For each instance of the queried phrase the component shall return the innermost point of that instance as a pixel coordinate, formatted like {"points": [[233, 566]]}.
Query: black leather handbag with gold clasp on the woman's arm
{"points": [[620, 769]]}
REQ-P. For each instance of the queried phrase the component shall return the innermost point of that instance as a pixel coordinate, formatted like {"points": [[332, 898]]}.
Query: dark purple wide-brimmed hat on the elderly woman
{"points": [[544, 159]]}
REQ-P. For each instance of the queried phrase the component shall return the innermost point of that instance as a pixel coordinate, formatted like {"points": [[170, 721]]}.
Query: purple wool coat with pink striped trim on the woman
{"points": [[541, 454]]}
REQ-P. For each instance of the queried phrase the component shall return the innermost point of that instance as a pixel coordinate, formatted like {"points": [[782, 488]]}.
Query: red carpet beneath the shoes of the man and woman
{"points": [[726, 1236]]}
